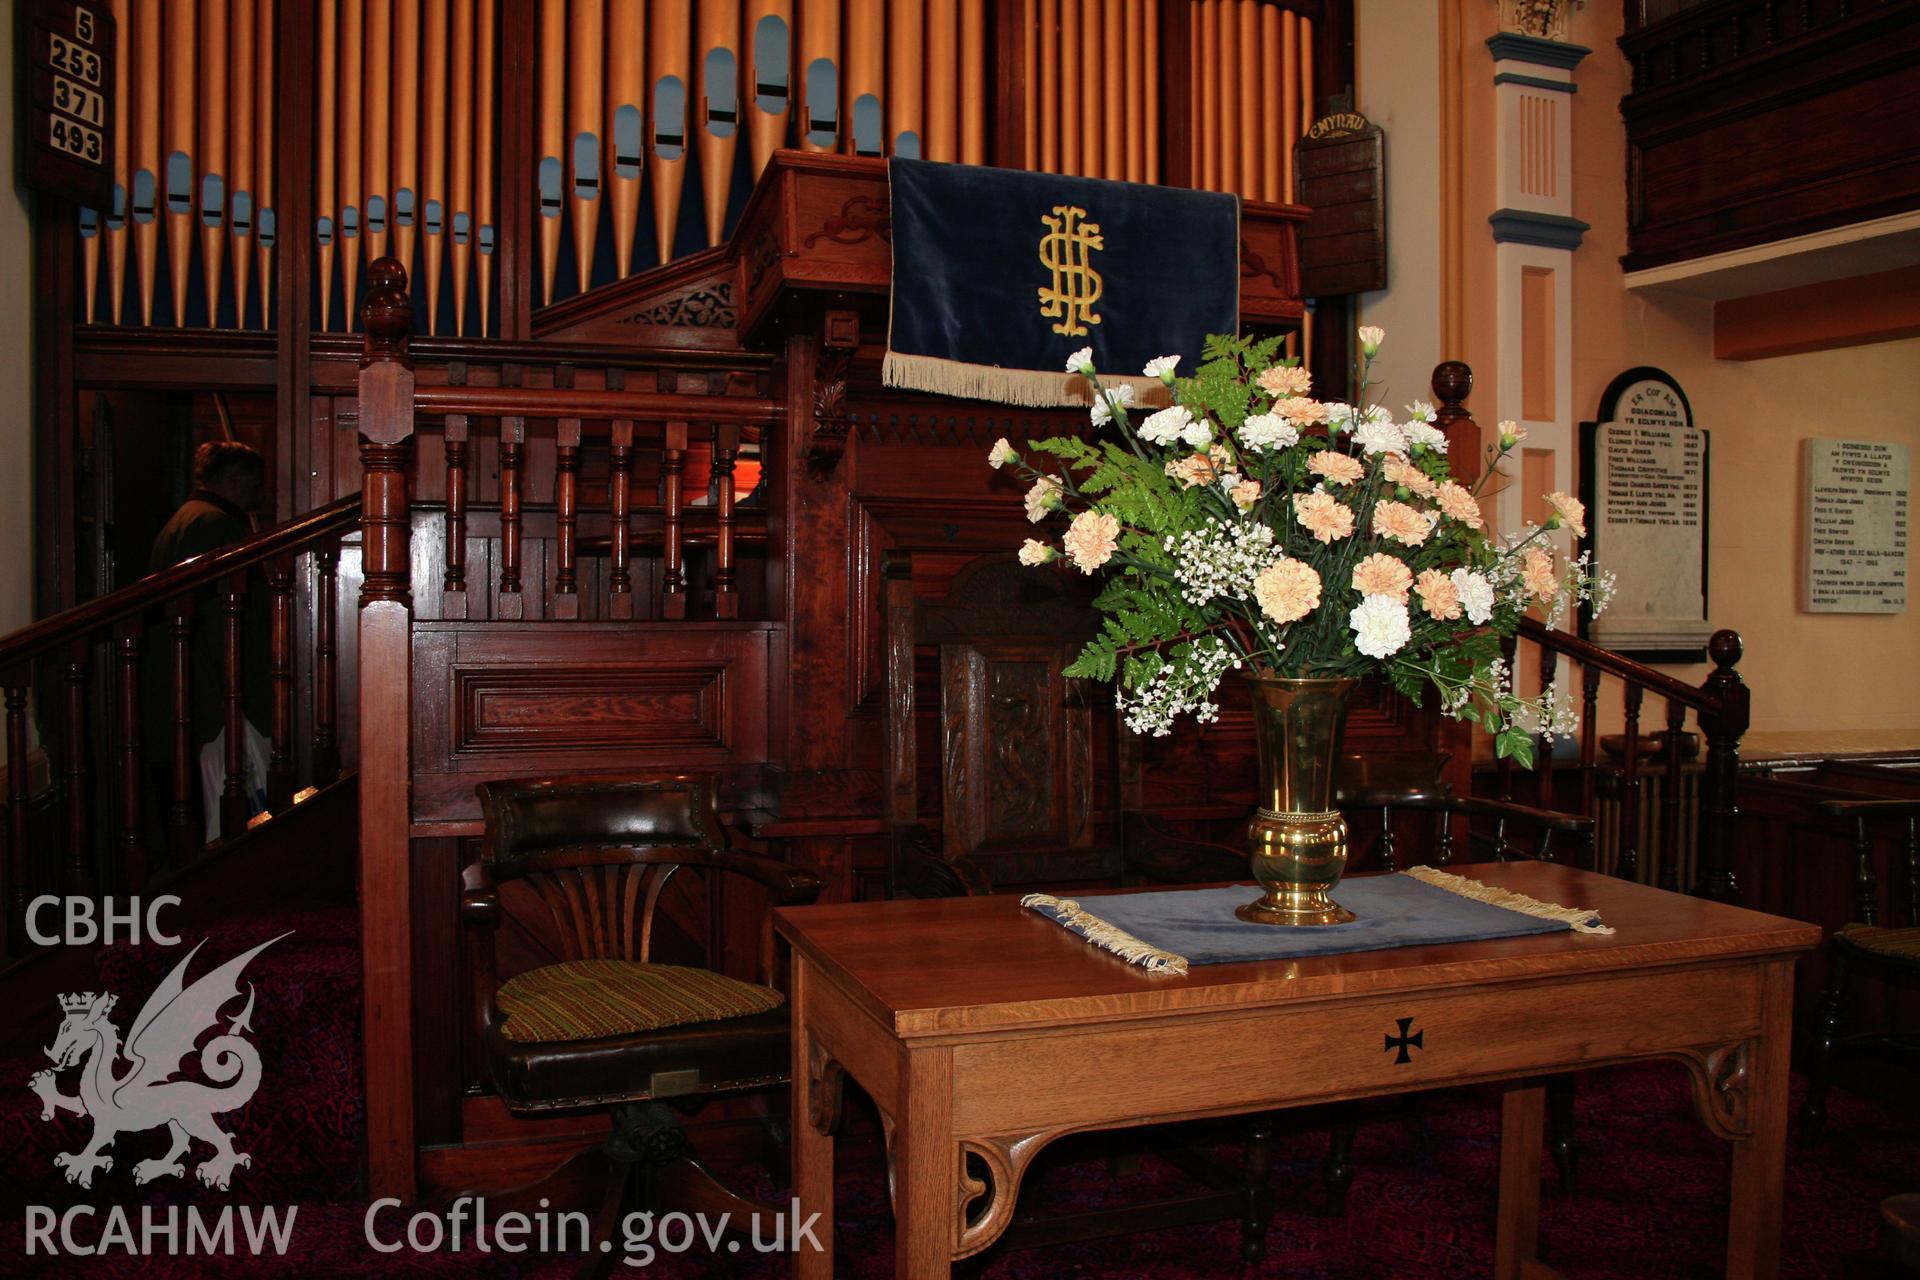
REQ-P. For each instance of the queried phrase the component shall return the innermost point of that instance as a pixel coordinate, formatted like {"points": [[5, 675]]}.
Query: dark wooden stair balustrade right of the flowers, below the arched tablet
{"points": [[1644, 838]]}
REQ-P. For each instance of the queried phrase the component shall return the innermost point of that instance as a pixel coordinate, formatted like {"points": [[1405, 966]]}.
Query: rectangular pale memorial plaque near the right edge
{"points": [[1856, 527]]}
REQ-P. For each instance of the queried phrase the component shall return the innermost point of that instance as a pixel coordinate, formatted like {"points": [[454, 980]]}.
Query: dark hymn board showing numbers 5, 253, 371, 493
{"points": [[70, 101]]}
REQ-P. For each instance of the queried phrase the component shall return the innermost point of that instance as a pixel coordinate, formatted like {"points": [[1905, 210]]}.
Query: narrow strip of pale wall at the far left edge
{"points": [[16, 377]]}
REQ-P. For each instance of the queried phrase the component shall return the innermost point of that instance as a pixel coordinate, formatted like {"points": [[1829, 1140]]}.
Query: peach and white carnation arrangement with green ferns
{"points": [[1251, 527]]}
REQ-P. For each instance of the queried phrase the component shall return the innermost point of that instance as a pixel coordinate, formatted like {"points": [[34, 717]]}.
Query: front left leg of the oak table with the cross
{"points": [[926, 1172]]}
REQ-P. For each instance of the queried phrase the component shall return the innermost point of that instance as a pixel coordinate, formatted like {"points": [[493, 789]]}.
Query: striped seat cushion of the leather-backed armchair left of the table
{"points": [[596, 999]]}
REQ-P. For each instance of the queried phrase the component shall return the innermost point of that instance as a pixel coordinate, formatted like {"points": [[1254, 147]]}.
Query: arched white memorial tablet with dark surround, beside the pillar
{"points": [[1644, 483]]}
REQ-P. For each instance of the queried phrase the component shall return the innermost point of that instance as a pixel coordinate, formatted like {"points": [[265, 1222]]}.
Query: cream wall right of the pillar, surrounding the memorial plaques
{"points": [[1821, 682]]}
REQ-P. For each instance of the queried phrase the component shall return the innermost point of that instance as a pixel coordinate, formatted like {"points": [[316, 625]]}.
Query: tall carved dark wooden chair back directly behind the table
{"points": [[1015, 734]]}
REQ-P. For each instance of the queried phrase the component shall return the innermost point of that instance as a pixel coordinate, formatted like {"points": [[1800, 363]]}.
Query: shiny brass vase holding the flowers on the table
{"points": [[1299, 840]]}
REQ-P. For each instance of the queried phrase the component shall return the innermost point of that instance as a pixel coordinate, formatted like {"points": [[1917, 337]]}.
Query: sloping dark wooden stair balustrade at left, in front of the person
{"points": [[91, 669]]}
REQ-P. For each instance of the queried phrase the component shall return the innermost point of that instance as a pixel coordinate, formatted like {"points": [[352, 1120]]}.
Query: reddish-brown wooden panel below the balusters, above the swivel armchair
{"points": [[514, 699]]}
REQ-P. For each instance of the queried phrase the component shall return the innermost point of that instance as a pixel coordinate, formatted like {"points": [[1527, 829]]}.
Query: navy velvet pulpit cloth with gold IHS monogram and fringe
{"points": [[999, 275]]}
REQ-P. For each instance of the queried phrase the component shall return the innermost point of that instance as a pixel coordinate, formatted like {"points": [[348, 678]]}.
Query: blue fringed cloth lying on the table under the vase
{"points": [[1172, 930]]}
